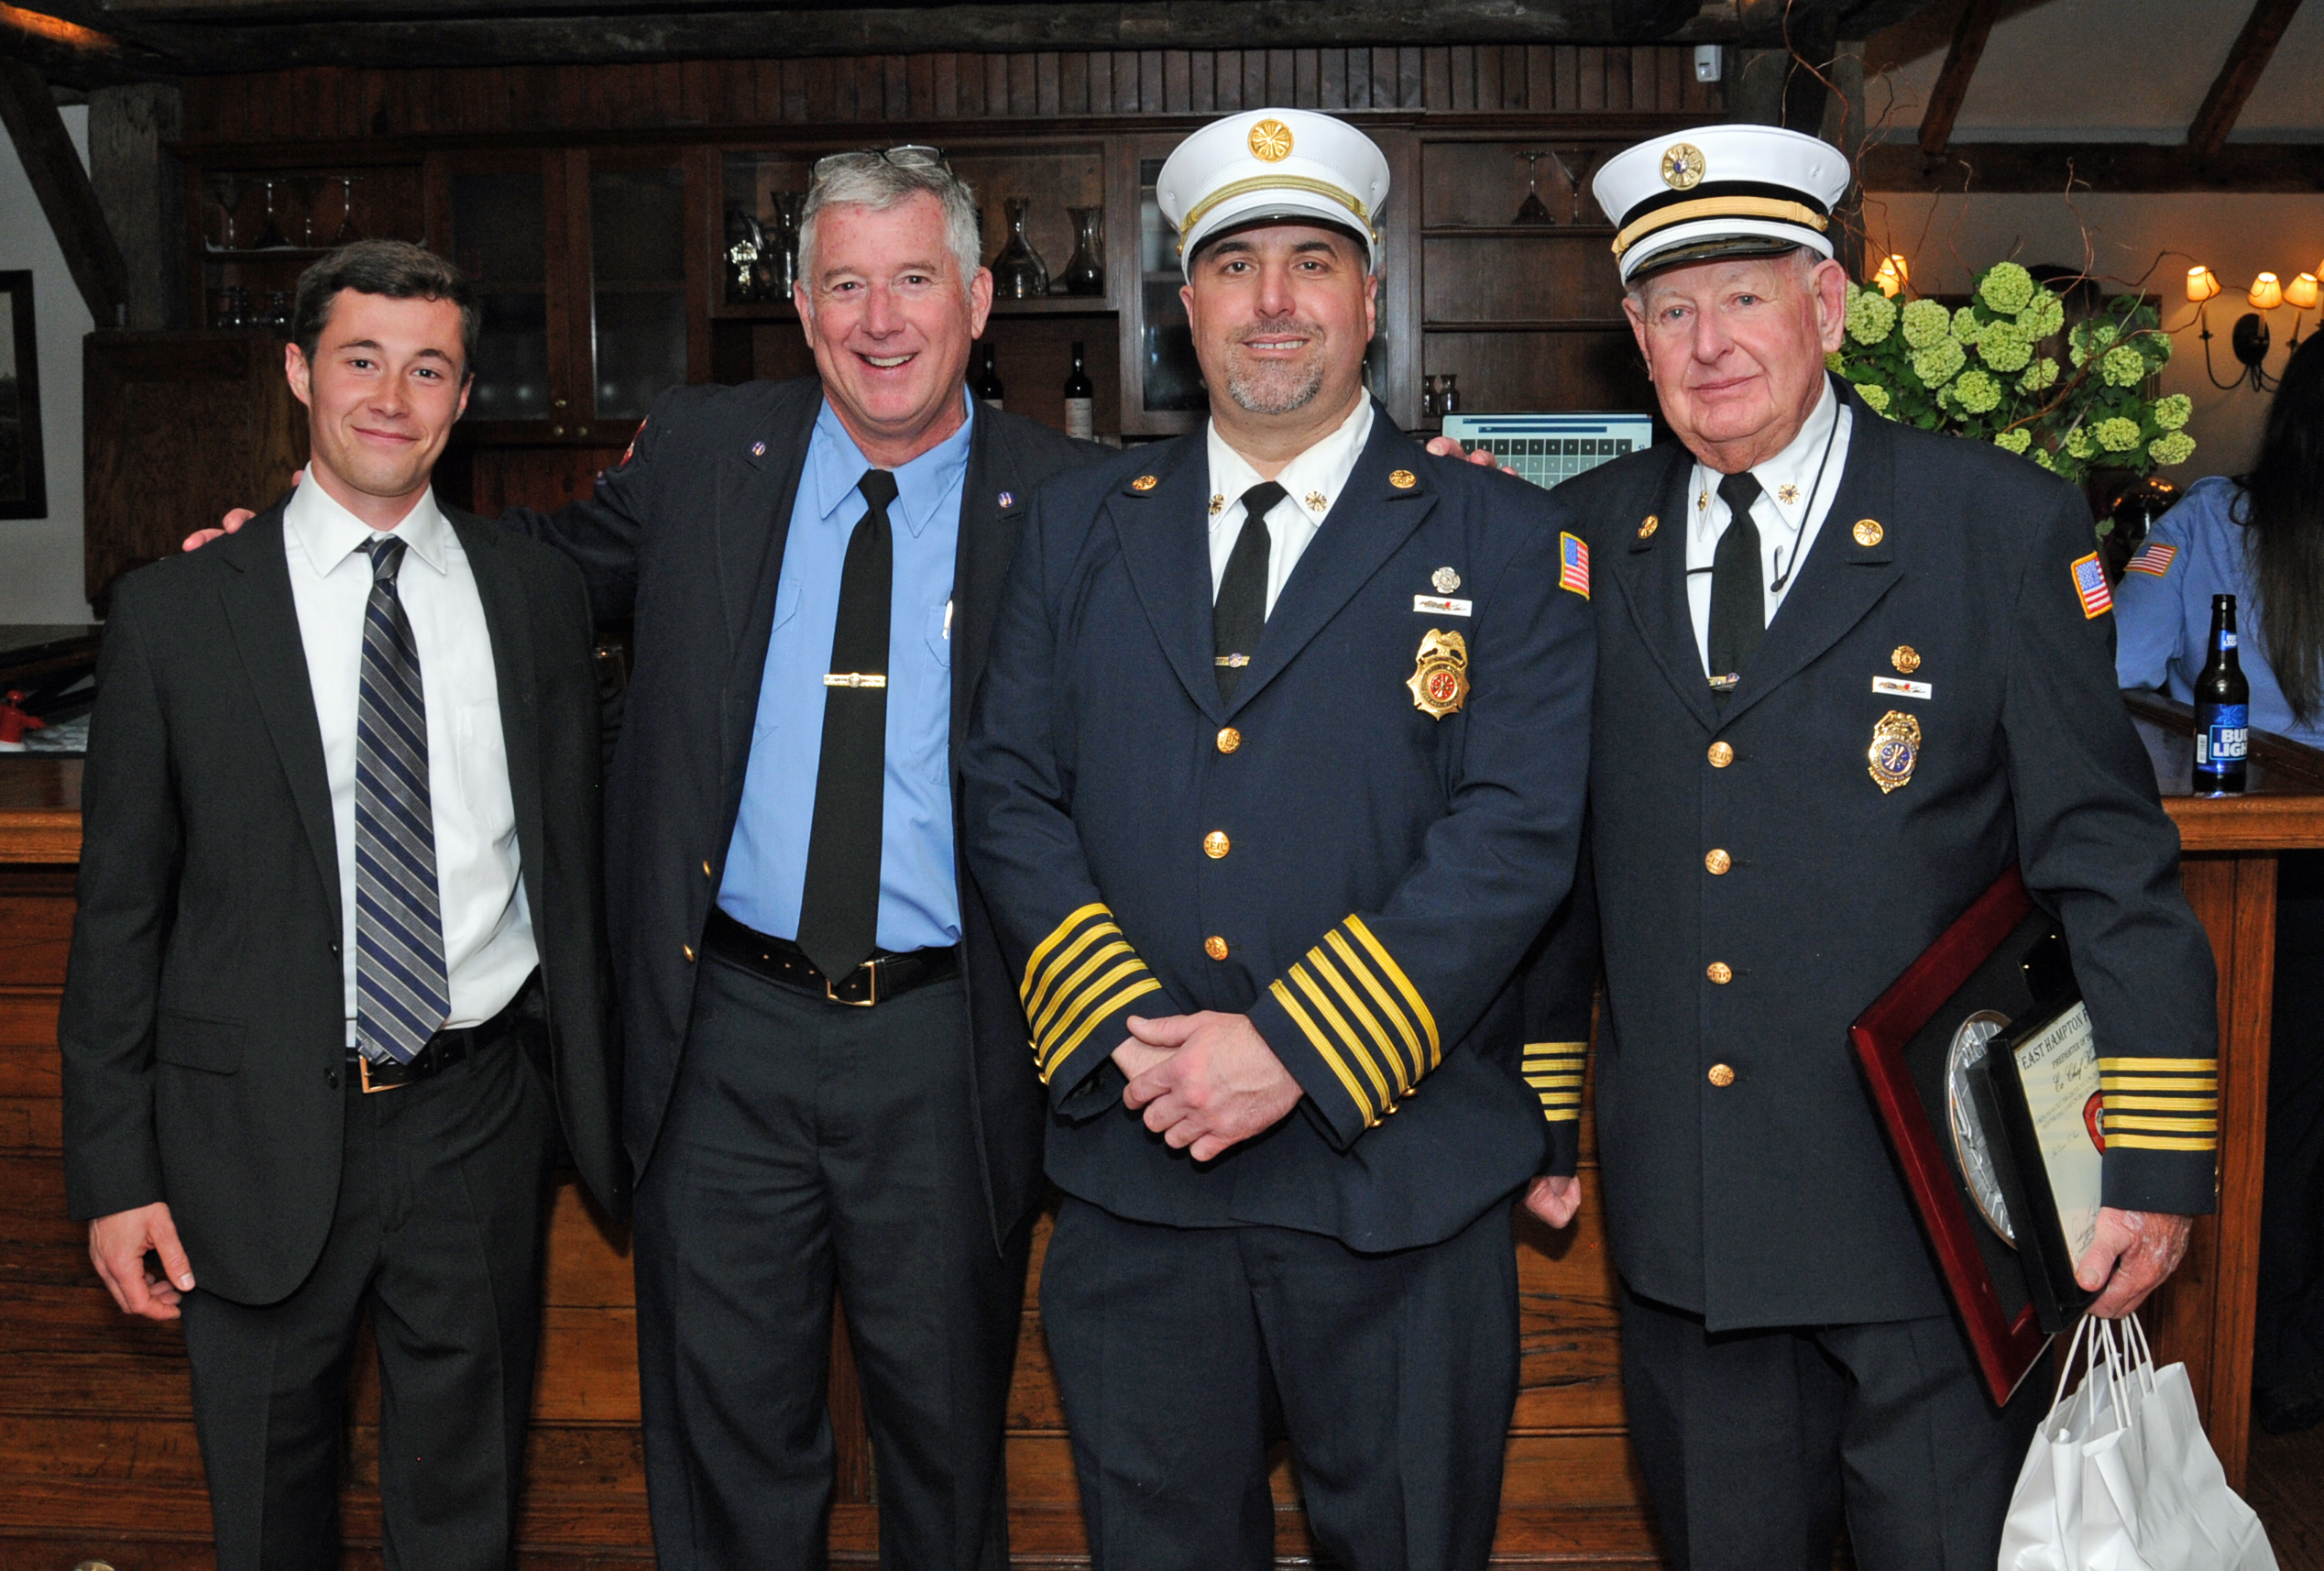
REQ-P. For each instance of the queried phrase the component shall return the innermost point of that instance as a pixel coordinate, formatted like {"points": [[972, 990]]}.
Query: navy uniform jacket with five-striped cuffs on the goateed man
{"points": [[1321, 854]]}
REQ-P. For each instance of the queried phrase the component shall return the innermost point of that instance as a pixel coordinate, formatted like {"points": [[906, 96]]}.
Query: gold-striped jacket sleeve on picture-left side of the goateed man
{"points": [[1077, 975]]}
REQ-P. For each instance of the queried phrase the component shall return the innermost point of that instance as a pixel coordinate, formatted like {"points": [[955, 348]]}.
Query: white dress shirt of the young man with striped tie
{"points": [[480, 880]]}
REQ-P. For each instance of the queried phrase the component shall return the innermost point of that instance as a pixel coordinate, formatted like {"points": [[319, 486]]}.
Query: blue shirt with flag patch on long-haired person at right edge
{"points": [[2162, 622]]}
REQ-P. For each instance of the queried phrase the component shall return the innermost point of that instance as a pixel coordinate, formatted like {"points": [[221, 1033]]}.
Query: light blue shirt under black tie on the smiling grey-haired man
{"points": [[766, 873]]}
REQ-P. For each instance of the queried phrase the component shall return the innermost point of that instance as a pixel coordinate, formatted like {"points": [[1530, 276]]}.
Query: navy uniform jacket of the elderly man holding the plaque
{"points": [[1774, 1200]]}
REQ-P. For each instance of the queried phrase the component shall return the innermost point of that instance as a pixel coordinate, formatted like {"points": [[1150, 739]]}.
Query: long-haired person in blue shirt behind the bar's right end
{"points": [[2260, 538]]}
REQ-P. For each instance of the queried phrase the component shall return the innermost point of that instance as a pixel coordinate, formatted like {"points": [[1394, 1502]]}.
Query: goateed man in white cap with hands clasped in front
{"points": [[1275, 777]]}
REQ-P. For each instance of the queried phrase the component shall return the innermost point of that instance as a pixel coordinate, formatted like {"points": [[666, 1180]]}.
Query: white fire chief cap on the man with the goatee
{"points": [[1275, 166]]}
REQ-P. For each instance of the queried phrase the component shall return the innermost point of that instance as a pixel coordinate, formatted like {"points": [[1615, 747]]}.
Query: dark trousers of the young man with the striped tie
{"points": [[438, 1235]]}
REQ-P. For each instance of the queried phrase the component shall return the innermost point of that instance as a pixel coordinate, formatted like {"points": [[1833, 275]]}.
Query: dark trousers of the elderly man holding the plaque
{"points": [[1758, 1447]]}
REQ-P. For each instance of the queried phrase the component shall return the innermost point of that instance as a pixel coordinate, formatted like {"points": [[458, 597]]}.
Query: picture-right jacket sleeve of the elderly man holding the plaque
{"points": [[2100, 852]]}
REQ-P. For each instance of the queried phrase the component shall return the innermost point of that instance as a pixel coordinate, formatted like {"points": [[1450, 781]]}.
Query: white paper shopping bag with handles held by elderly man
{"points": [[2123, 1479]]}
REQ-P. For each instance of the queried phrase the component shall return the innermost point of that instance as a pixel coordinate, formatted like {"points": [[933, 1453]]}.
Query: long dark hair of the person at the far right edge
{"points": [[2283, 508]]}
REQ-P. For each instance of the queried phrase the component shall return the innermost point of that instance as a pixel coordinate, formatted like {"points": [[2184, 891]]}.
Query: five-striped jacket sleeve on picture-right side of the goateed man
{"points": [[1379, 998]]}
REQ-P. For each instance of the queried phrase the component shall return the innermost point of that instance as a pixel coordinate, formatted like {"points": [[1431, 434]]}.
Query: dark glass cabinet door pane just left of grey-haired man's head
{"points": [[638, 289]]}
